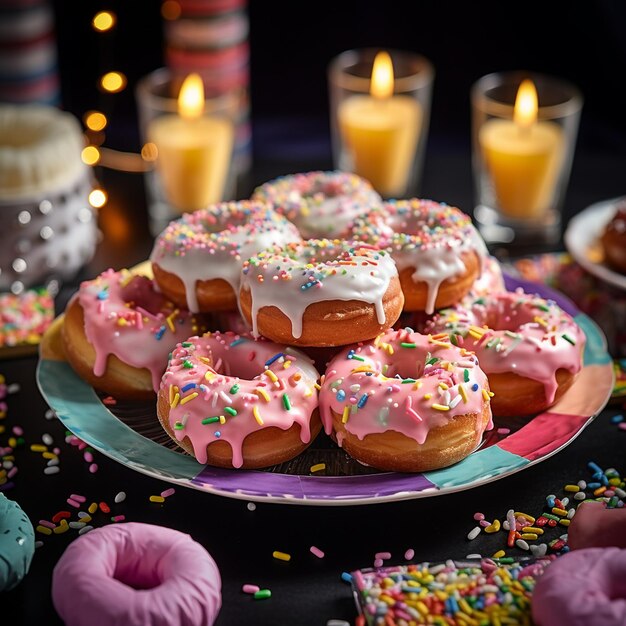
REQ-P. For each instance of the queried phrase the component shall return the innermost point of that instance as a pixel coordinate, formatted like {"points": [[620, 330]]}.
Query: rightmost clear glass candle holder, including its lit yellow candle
{"points": [[524, 129]]}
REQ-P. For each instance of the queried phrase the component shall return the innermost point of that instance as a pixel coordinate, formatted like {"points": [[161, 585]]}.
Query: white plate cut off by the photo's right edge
{"points": [[582, 240]]}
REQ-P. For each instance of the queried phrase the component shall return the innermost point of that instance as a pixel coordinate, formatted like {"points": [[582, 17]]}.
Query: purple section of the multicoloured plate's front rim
{"points": [[316, 487]]}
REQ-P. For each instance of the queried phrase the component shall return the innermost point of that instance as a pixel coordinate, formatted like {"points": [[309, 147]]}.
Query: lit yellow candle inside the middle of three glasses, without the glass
{"points": [[381, 130]]}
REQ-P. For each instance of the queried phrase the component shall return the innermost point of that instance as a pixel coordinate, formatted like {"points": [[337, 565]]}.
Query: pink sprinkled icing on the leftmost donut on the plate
{"points": [[115, 296]]}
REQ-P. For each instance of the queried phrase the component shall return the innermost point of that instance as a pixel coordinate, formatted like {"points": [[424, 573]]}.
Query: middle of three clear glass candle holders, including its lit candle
{"points": [[380, 114]]}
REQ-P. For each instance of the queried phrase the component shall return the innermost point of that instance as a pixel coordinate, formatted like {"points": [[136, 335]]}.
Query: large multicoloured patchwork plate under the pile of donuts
{"points": [[134, 437]]}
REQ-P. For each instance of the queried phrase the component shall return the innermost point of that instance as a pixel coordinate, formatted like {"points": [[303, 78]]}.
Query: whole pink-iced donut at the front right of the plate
{"points": [[406, 402]]}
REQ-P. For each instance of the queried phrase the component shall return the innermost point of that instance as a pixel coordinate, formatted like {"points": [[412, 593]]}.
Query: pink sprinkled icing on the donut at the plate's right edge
{"points": [[540, 350]]}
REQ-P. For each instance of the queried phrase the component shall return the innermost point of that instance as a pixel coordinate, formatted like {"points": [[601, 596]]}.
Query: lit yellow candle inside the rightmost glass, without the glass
{"points": [[523, 157]]}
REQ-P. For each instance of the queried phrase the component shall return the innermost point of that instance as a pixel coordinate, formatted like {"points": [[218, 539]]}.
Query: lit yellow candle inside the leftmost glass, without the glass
{"points": [[194, 150]]}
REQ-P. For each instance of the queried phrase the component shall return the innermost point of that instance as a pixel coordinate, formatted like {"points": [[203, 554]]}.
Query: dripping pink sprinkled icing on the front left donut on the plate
{"points": [[232, 386]]}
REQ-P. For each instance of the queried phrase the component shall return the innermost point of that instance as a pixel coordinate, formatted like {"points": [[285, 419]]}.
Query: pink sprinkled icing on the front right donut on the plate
{"points": [[393, 401]]}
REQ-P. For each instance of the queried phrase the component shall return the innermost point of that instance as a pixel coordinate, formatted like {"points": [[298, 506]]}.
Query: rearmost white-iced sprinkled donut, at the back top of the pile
{"points": [[322, 204]]}
